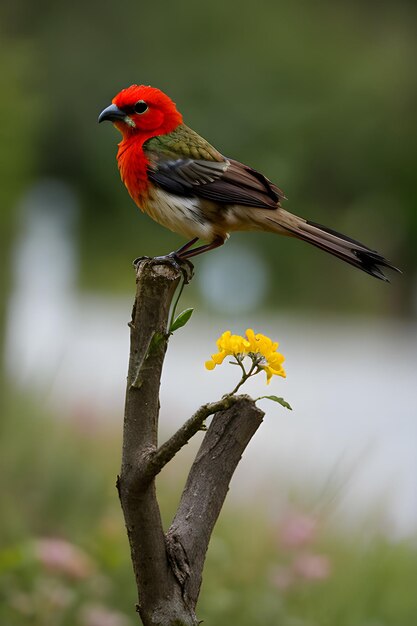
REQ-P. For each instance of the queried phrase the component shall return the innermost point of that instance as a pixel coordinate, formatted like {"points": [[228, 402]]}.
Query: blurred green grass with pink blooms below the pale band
{"points": [[64, 557]]}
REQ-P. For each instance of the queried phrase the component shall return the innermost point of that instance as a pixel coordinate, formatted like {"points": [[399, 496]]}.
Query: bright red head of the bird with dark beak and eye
{"points": [[142, 110]]}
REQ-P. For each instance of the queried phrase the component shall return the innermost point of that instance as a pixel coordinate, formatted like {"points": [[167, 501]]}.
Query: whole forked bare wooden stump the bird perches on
{"points": [[168, 568]]}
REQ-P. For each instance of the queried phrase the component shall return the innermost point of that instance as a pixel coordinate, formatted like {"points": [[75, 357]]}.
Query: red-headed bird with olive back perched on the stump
{"points": [[186, 185]]}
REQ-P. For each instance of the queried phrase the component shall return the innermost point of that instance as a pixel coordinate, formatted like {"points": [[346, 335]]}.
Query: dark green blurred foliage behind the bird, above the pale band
{"points": [[320, 96]]}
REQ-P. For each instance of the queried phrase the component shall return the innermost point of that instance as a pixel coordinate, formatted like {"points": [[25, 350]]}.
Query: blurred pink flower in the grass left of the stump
{"points": [[62, 557]]}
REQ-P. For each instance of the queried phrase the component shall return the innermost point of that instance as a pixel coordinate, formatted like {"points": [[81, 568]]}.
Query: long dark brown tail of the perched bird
{"points": [[341, 246]]}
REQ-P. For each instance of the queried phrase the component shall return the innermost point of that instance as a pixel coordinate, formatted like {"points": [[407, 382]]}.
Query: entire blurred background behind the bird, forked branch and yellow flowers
{"points": [[320, 524]]}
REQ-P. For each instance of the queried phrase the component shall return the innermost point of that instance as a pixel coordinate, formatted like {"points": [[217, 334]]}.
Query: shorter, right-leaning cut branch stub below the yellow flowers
{"points": [[206, 489]]}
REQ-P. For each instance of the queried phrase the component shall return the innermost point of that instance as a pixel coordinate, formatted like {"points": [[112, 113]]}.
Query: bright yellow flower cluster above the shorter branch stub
{"points": [[260, 349]]}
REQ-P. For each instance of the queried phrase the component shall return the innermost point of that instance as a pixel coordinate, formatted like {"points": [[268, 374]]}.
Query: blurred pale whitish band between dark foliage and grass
{"points": [[351, 441]]}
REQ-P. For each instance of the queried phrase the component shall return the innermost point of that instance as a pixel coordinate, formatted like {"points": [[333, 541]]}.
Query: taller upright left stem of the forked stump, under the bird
{"points": [[160, 601]]}
